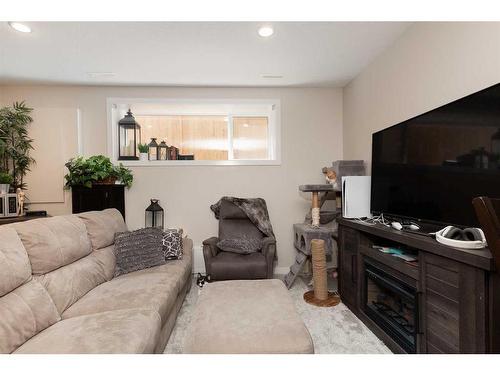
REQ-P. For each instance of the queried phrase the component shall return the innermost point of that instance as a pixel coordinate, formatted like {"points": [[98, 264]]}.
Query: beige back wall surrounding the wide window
{"points": [[311, 127]]}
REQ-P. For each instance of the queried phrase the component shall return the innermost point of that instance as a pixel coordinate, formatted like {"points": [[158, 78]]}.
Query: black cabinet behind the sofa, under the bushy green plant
{"points": [[98, 197]]}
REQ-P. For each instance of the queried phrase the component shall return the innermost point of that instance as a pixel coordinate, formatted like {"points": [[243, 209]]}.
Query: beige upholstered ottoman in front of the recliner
{"points": [[247, 317]]}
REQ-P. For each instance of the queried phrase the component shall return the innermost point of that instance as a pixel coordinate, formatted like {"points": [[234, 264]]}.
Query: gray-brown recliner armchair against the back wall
{"points": [[225, 265]]}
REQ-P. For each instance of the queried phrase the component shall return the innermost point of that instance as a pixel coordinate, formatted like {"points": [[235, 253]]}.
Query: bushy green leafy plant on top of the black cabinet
{"points": [[96, 170]]}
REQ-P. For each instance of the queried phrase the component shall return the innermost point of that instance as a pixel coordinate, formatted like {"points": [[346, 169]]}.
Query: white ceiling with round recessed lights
{"points": [[192, 53]]}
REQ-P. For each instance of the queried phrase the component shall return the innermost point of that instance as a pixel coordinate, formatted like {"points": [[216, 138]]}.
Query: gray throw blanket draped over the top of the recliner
{"points": [[254, 208]]}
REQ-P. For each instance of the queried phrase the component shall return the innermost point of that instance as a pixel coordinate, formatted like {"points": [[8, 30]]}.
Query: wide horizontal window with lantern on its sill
{"points": [[205, 132]]}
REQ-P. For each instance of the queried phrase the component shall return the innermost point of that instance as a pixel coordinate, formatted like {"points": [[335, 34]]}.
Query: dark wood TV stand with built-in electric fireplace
{"points": [[457, 292]]}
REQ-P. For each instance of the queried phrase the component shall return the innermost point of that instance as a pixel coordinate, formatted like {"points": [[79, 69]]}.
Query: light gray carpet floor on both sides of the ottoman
{"points": [[334, 330]]}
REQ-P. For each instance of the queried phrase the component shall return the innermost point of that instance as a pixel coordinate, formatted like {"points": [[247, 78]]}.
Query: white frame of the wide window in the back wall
{"points": [[274, 129]]}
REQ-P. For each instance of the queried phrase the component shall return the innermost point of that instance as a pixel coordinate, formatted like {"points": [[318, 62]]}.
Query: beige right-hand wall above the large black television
{"points": [[430, 65]]}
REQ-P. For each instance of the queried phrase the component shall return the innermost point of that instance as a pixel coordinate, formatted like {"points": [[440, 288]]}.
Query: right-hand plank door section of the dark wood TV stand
{"points": [[454, 306]]}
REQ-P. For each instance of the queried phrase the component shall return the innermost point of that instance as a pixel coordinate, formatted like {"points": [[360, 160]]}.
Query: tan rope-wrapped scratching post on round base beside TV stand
{"points": [[320, 295]]}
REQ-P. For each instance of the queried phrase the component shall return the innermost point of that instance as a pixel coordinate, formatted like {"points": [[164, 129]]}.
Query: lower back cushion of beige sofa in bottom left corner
{"points": [[24, 312]]}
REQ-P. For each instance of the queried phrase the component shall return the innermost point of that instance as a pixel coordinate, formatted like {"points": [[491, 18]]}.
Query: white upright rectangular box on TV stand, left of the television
{"points": [[356, 196]]}
